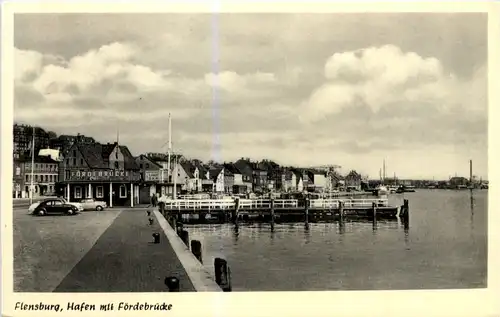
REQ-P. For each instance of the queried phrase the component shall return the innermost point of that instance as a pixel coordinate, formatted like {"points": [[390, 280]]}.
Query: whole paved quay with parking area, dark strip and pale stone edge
{"points": [[109, 251]]}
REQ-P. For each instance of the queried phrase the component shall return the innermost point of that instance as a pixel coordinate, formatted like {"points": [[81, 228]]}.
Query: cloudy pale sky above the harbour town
{"points": [[301, 89]]}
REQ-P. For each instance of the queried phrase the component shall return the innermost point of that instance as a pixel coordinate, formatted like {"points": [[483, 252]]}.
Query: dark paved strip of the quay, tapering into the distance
{"points": [[124, 259]]}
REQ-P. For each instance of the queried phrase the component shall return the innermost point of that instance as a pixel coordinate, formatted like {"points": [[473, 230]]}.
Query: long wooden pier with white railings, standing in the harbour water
{"points": [[278, 210]]}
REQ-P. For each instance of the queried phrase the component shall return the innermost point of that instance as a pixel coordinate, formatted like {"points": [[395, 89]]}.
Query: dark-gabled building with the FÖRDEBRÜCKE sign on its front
{"points": [[102, 171]]}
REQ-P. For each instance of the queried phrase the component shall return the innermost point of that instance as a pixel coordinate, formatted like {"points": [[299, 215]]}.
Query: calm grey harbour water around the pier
{"points": [[444, 247]]}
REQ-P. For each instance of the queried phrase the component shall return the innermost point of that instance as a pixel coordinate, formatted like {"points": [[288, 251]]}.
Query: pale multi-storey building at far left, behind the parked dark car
{"points": [[45, 176]]}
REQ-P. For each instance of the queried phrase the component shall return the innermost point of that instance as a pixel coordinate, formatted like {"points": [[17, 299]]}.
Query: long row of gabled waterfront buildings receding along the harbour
{"points": [[79, 167]]}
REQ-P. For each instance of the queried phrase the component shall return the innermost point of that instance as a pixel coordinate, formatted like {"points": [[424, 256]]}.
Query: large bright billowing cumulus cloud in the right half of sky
{"points": [[385, 76]]}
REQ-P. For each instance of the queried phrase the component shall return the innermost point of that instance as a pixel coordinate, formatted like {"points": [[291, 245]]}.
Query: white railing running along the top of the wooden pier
{"points": [[220, 204]]}
